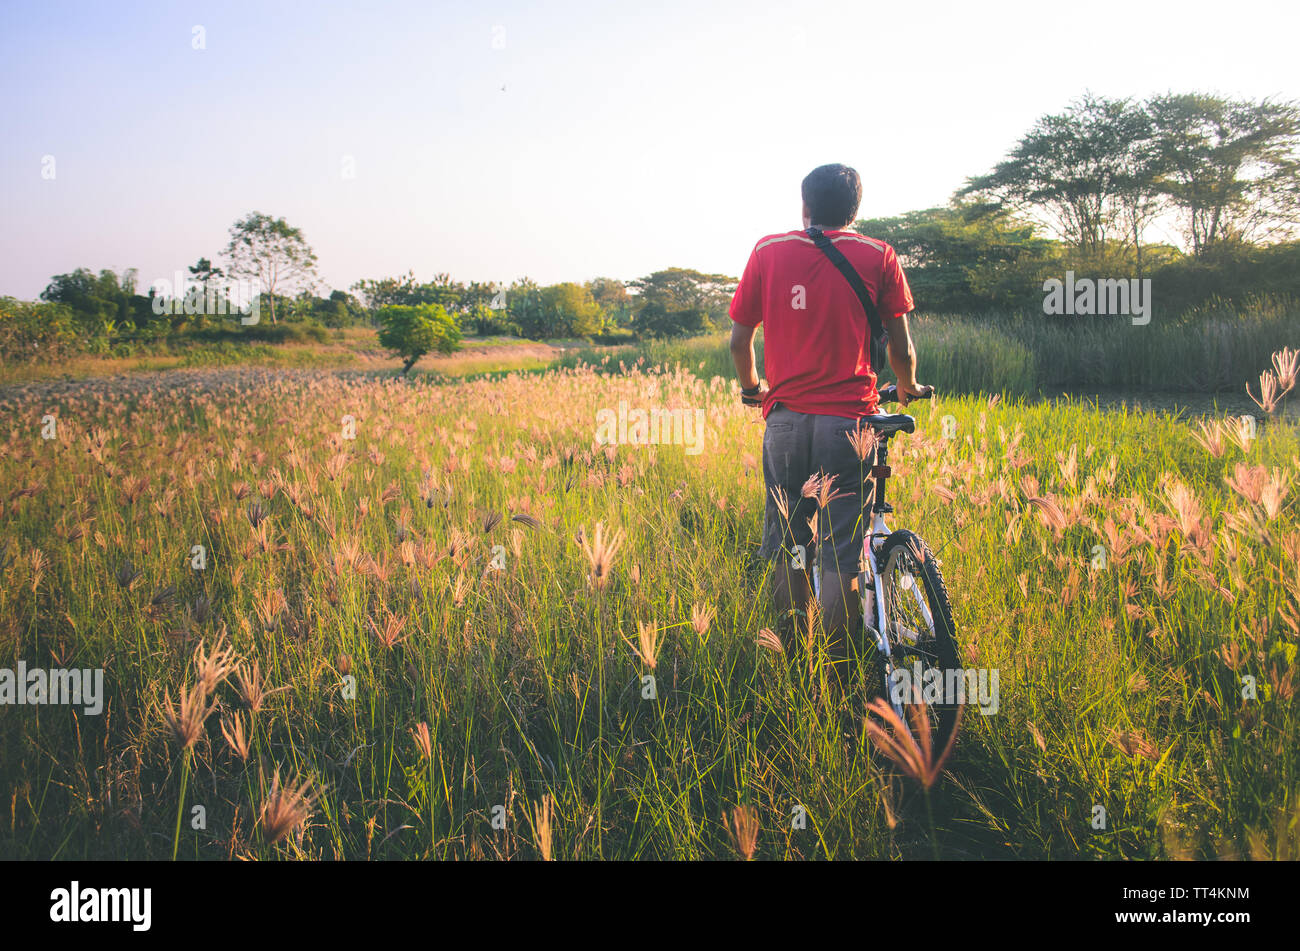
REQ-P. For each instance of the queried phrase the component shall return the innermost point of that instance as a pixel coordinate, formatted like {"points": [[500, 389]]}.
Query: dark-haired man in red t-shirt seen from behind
{"points": [[820, 384]]}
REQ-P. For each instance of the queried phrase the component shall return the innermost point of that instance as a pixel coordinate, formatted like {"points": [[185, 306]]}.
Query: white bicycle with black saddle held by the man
{"points": [[913, 622]]}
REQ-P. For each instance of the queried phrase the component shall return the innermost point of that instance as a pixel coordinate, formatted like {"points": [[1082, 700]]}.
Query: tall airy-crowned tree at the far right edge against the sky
{"points": [[1229, 166]]}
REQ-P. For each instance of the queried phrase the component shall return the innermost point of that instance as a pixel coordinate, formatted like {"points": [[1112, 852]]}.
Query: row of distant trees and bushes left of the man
{"points": [[106, 314]]}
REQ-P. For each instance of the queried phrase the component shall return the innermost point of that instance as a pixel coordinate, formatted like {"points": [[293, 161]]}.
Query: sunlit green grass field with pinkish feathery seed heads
{"points": [[426, 627]]}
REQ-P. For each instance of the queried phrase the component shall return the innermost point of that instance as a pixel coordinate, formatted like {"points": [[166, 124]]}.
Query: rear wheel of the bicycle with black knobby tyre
{"points": [[921, 631]]}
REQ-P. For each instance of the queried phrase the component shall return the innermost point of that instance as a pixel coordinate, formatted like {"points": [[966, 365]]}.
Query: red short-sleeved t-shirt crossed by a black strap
{"points": [[817, 351]]}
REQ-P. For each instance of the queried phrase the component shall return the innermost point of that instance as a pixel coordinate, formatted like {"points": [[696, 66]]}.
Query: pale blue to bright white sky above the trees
{"points": [[562, 141]]}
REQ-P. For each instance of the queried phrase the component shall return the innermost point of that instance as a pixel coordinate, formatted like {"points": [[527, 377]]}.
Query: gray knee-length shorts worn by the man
{"points": [[801, 445]]}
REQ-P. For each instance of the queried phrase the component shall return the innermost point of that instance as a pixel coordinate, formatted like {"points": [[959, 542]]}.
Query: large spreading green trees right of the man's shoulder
{"points": [[1199, 193]]}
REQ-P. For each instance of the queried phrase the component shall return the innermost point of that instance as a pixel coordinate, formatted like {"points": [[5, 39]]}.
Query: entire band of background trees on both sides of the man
{"points": [[1199, 193]]}
